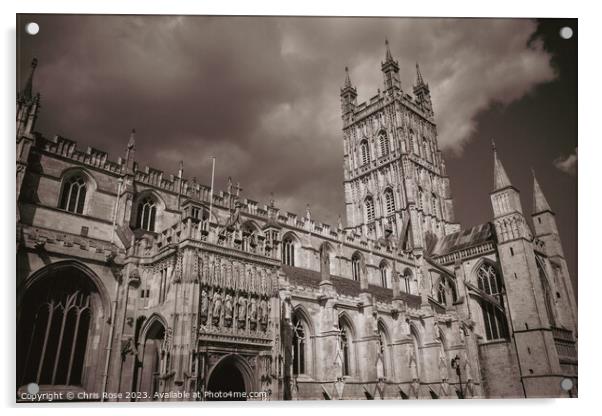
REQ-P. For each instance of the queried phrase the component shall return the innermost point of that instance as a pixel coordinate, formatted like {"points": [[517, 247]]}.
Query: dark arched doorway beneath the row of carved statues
{"points": [[229, 380]]}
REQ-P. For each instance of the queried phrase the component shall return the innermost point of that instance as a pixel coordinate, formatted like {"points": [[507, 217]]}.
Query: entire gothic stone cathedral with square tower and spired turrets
{"points": [[138, 285]]}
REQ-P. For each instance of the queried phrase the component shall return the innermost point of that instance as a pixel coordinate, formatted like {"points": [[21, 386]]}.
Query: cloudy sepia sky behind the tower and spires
{"points": [[262, 95]]}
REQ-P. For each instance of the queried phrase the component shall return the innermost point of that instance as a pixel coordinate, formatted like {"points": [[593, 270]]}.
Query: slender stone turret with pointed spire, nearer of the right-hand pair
{"points": [[529, 317]]}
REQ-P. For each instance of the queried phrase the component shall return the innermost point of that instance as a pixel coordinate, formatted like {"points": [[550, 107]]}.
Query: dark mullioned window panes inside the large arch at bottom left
{"points": [[54, 330]]}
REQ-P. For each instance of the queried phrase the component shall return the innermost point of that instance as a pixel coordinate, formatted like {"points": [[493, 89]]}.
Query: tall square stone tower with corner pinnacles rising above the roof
{"points": [[396, 185]]}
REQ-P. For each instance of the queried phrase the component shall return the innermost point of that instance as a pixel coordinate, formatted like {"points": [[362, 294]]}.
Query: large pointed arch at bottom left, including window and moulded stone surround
{"points": [[60, 308]]}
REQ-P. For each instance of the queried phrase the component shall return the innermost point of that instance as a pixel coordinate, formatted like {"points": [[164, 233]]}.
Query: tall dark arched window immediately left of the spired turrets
{"points": [[494, 318]]}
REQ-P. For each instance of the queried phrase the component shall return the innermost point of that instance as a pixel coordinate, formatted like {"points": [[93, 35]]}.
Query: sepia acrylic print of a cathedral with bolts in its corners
{"points": [[273, 208]]}
